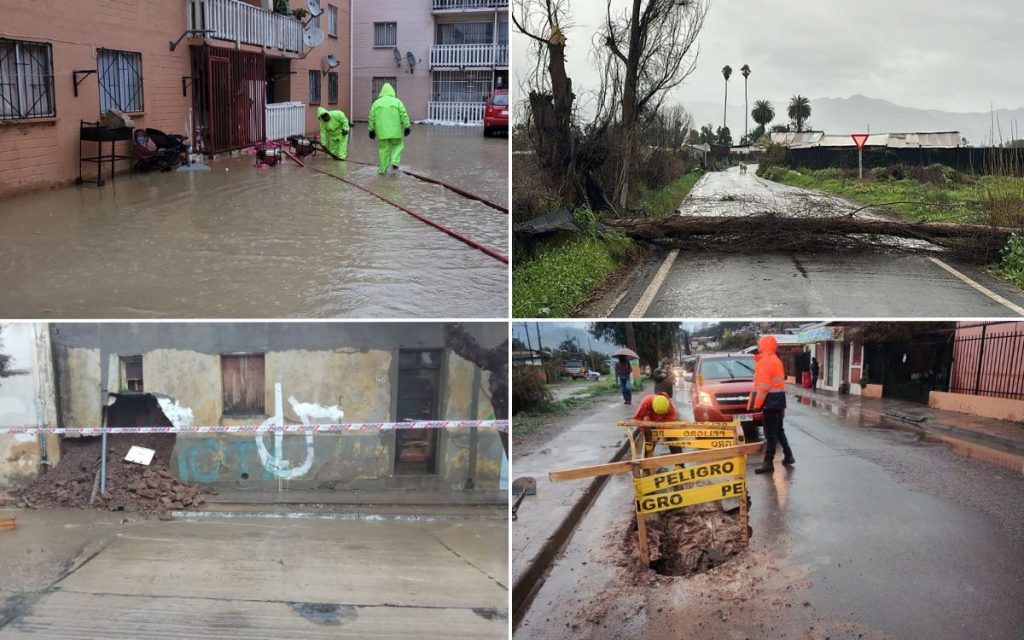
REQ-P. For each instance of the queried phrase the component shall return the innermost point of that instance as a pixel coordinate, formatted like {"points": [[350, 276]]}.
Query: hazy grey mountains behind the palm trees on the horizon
{"points": [[860, 114]]}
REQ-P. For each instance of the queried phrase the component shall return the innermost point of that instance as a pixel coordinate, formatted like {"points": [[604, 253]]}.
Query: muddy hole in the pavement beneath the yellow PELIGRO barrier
{"points": [[689, 541]]}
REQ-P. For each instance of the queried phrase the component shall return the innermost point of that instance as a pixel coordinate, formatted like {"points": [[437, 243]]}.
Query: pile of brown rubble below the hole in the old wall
{"points": [[150, 491]]}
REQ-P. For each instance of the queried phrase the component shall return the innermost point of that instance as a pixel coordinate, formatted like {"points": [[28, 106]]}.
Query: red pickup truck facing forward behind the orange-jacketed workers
{"points": [[722, 385]]}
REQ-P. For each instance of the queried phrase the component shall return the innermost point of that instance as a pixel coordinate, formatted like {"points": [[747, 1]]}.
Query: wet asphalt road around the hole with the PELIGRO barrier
{"points": [[872, 535]]}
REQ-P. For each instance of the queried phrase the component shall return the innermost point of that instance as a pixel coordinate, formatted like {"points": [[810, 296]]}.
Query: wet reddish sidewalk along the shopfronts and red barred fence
{"points": [[998, 442]]}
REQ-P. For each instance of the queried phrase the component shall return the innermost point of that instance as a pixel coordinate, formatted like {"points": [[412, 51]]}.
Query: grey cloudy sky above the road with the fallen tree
{"points": [[958, 57]]}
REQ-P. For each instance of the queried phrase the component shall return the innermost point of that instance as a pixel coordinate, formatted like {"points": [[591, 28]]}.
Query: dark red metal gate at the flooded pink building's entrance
{"points": [[229, 100]]}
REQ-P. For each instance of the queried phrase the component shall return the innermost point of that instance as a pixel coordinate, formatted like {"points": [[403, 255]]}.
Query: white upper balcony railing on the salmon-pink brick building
{"points": [[245, 24]]}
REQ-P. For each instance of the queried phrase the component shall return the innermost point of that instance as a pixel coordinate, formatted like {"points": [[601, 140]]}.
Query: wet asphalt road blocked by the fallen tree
{"points": [[882, 284]]}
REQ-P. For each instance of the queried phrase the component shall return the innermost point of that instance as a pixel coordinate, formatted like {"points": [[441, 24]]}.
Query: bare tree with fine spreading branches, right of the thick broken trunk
{"points": [[653, 44]]}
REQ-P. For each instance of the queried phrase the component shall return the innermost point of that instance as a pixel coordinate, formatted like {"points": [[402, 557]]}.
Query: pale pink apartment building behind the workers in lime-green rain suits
{"points": [[444, 57]]}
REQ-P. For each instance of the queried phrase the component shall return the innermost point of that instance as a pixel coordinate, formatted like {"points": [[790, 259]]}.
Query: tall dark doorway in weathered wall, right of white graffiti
{"points": [[419, 399]]}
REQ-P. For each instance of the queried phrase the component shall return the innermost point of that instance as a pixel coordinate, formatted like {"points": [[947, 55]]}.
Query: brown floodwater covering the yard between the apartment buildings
{"points": [[280, 242]]}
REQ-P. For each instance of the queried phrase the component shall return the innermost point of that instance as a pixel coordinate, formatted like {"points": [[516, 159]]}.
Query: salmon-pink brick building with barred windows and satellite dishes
{"points": [[239, 74]]}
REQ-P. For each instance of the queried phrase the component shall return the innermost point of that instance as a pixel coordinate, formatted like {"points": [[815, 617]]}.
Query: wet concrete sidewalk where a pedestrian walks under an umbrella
{"points": [[547, 519]]}
